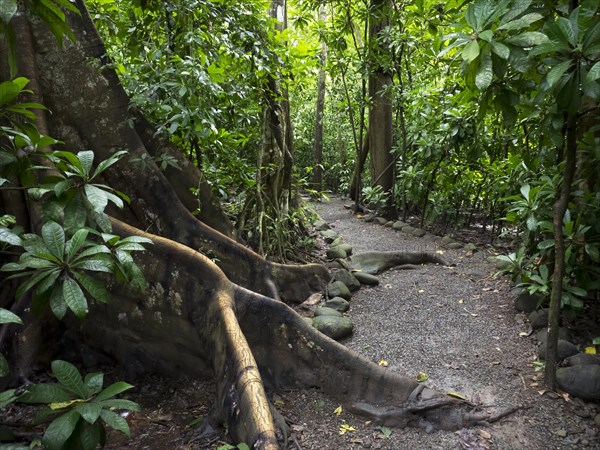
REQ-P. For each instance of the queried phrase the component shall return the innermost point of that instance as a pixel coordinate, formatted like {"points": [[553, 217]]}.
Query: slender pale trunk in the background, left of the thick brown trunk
{"points": [[320, 107]]}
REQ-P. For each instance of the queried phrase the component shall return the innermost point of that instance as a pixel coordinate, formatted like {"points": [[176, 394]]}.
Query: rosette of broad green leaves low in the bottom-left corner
{"points": [[81, 403]]}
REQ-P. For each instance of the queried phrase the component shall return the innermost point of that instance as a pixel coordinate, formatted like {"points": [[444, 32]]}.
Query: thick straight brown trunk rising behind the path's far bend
{"points": [[380, 112]]}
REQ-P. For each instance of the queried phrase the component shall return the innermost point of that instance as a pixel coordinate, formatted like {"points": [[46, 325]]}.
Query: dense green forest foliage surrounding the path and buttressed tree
{"points": [[491, 108]]}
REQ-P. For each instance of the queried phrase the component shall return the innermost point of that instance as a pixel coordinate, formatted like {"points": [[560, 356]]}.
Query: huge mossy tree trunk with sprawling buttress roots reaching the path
{"points": [[202, 318]]}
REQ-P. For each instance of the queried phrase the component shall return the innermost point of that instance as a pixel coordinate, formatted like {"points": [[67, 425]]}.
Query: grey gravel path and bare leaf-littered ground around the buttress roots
{"points": [[456, 325]]}
